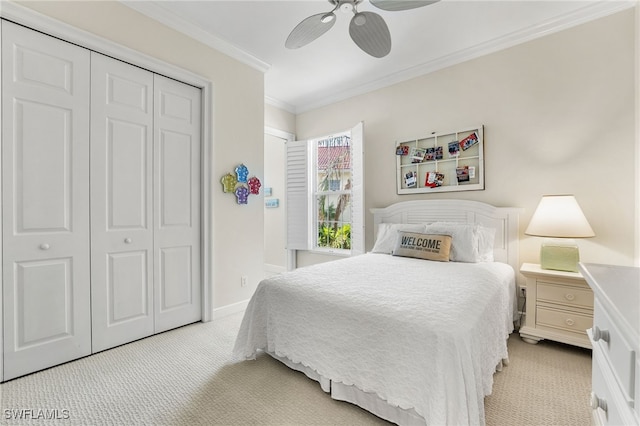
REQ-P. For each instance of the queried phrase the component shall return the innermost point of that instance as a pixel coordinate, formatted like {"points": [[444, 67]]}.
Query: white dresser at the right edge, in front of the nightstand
{"points": [[615, 338]]}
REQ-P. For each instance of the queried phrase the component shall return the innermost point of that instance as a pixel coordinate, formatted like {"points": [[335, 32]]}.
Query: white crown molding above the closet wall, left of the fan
{"points": [[160, 14]]}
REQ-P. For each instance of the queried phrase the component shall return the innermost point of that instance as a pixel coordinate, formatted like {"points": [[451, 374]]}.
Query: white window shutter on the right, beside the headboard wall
{"points": [[357, 189]]}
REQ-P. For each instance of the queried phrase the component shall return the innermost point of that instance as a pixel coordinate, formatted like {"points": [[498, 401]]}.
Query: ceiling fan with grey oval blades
{"points": [[367, 29]]}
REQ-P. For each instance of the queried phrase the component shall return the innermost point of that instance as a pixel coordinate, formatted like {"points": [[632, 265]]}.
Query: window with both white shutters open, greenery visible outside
{"points": [[325, 193]]}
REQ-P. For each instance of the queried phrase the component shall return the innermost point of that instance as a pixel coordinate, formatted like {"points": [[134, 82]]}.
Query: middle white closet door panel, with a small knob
{"points": [[121, 202]]}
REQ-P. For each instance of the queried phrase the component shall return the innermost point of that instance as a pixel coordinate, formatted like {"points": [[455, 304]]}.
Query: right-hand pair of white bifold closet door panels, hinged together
{"points": [[145, 203]]}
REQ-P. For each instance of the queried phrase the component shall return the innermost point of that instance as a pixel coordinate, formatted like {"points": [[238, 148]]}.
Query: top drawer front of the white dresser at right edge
{"points": [[615, 348]]}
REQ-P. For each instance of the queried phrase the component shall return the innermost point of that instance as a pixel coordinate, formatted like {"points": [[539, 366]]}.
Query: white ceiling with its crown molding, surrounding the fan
{"points": [[333, 68]]}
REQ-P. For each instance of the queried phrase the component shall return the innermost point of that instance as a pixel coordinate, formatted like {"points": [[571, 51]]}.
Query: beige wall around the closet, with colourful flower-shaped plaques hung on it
{"points": [[238, 128]]}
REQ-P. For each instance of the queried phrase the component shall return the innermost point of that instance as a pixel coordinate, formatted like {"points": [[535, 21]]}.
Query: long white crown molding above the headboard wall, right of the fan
{"points": [[586, 14]]}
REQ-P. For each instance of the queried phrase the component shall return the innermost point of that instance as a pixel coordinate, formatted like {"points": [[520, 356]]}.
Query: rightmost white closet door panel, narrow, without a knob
{"points": [[177, 204]]}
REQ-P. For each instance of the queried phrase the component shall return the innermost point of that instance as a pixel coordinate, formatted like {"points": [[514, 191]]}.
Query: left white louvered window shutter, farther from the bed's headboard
{"points": [[297, 195]]}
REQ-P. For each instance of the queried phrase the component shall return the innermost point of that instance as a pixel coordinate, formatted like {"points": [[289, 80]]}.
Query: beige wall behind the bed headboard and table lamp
{"points": [[559, 118]]}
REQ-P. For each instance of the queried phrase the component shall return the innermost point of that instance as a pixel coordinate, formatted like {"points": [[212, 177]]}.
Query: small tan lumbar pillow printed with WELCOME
{"points": [[423, 246]]}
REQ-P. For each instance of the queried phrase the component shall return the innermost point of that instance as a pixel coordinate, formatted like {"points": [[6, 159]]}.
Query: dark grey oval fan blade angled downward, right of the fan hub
{"points": [[369, 31]]}
